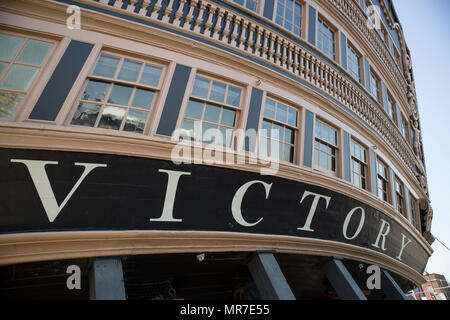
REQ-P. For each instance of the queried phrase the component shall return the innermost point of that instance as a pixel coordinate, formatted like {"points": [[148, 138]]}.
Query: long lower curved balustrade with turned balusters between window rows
{"points": [[247, 36]]}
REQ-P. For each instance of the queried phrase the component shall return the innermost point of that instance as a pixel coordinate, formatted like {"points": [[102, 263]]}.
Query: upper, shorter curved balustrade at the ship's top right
{"points": [[352, 11]]}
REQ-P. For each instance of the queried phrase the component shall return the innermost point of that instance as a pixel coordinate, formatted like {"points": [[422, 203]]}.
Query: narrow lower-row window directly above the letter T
{"points": [[325, 147]]}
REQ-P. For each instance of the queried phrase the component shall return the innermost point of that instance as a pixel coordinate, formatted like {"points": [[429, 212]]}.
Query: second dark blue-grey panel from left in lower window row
{"points": [[169, 116]]}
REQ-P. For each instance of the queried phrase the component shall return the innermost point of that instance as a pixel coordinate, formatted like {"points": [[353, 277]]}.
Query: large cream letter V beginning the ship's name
{"points": [[44, 189]]}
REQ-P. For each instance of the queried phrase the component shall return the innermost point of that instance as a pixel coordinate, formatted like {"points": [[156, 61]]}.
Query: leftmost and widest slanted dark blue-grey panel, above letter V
{"points": [[61, 82]]}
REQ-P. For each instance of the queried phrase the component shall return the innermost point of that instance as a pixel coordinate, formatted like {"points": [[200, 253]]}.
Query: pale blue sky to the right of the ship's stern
{"points": [[427, 31]]}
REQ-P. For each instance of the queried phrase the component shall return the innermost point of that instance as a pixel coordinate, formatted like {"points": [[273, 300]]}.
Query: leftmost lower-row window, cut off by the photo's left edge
{"points": [[21, 59]]}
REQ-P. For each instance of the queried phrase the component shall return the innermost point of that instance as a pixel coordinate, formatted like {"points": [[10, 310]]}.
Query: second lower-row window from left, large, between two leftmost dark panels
{"points": [[119, 94]]}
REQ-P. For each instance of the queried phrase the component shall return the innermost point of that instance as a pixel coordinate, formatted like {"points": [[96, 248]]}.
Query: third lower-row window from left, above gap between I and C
{"points": [[211, 113]]}
